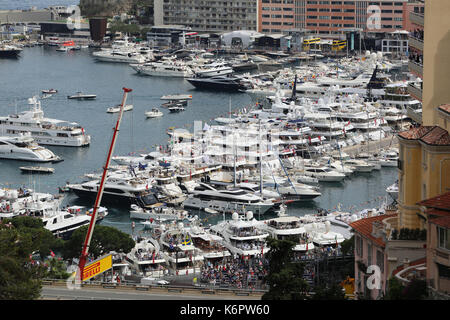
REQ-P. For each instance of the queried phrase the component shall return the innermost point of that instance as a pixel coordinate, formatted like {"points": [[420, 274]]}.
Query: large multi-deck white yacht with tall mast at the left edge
{"points": [[45, 131]]}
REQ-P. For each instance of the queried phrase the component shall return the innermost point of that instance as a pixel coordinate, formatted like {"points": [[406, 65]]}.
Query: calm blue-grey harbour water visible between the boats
{"points": [[40, 67]]}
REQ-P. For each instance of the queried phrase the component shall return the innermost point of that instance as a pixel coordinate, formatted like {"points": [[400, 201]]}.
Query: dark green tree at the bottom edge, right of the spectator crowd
{"points": [[285, 277]]}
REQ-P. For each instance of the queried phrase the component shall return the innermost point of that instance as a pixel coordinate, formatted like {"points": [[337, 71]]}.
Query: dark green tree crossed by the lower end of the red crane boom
{"points": [[104, 240]]}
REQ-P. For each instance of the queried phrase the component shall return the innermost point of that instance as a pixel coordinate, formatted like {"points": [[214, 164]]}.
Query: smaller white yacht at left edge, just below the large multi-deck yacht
{"points": [[23, 147]]}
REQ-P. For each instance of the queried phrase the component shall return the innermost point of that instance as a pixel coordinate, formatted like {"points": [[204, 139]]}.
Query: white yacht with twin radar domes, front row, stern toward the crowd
{"points": [[242, 236]]}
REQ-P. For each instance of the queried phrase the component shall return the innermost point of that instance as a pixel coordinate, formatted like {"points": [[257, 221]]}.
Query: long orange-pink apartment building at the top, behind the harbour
{"points": [[329, 16]]}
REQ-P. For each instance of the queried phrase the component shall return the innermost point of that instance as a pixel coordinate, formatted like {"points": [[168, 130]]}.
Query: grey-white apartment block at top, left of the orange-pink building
{"points": [[211, 16]]}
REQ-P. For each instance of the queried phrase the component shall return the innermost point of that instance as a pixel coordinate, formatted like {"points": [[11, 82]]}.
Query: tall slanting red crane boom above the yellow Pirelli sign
{"points": [[90, 231]]}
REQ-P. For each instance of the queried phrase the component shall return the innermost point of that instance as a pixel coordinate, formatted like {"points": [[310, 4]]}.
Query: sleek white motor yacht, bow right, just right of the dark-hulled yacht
{"points": [[205, 196]]}
